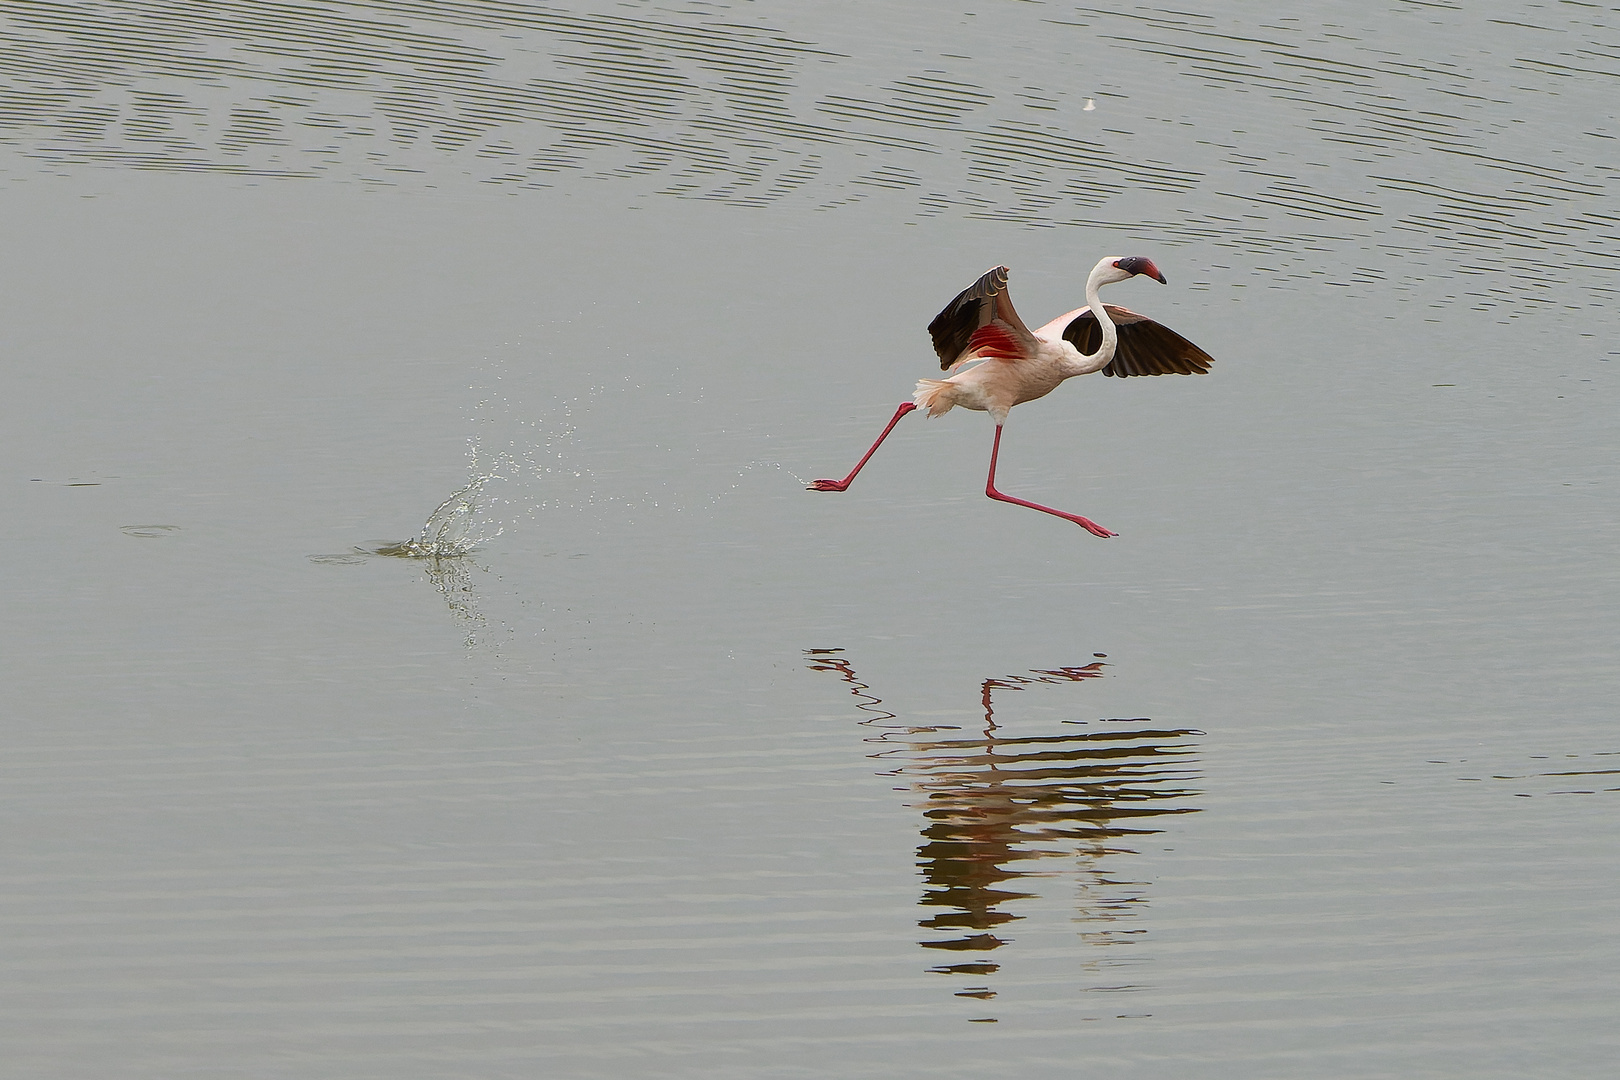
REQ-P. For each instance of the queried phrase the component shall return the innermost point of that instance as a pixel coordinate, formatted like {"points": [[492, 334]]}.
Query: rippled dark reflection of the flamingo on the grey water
{"points": [[999, 807]]}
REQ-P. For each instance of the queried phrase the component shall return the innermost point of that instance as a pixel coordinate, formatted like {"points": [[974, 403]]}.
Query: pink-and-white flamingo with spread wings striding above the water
{"points": [[1020, 365]]}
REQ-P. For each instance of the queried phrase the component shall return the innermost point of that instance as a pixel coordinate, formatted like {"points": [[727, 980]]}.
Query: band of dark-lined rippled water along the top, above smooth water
{"points": [[1441, 150]]}
